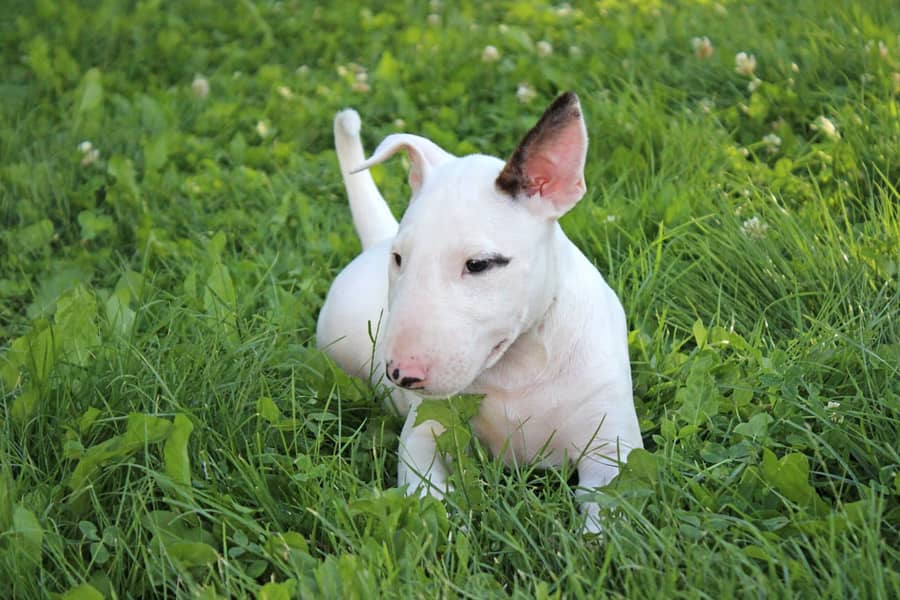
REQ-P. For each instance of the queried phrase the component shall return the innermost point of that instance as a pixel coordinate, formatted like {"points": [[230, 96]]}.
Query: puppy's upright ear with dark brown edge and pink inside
{"points": [[549, 161]]}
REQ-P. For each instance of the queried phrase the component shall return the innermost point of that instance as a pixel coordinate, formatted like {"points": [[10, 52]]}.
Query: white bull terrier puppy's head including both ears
{"points": [[474, 264]]}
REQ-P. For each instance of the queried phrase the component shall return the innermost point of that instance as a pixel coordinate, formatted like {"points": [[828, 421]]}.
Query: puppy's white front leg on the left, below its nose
{"points": [[422, 468]]}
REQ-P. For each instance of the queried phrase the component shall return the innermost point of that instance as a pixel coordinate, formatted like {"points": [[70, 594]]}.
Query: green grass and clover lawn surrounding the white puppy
{"points": [[169, 429]]}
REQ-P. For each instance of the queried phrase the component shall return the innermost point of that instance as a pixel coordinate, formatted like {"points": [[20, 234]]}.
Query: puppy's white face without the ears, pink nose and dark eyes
{"points": [[467, 272]]}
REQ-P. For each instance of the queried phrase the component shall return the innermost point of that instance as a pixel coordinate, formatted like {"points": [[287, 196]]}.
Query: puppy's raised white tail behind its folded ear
{"points": [[371, 216]]}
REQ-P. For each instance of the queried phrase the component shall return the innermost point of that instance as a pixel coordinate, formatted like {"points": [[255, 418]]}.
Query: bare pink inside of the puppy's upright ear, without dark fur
{"points": [[554, 167]]}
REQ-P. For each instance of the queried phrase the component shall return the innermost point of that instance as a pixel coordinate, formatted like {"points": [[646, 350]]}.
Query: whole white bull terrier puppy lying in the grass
{"points": [[479, 291]]}
